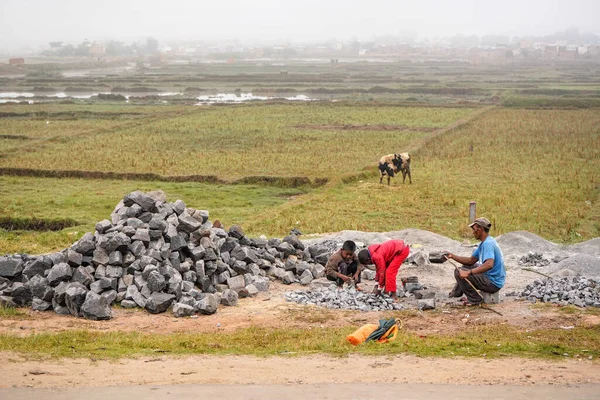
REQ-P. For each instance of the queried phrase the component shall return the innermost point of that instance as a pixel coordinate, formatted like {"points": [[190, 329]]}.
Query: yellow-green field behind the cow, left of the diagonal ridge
{"points": [[233, 142]]}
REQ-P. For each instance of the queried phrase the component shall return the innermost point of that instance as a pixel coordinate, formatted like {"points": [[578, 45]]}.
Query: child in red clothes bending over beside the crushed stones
{"points": [[387, 257]]}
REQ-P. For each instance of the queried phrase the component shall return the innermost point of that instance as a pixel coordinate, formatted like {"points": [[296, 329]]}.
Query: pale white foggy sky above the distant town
{"points": [[35, 22]]}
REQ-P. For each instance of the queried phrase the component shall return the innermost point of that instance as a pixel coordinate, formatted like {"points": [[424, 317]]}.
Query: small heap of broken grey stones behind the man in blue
{"points": [[578, 291]]}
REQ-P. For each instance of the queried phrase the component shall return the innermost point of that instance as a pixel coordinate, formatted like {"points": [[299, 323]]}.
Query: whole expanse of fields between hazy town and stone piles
{"points": [[534, 130]]}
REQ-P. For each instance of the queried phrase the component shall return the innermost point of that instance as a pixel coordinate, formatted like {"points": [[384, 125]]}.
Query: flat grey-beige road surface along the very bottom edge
{"points": [[301, 392]]}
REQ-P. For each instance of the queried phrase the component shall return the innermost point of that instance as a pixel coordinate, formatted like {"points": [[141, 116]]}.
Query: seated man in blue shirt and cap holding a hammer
{"points": [[484, 268]]}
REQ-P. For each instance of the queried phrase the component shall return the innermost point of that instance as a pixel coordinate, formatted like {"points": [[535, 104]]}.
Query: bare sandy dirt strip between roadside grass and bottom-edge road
{"points": [[318, 369]]}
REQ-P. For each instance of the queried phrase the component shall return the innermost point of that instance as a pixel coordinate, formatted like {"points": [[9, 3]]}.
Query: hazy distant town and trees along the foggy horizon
{"points": [[489, 50]]}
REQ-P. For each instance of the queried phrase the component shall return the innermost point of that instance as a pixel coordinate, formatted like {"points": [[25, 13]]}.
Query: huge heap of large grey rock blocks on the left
{"points": [[154, 254]]}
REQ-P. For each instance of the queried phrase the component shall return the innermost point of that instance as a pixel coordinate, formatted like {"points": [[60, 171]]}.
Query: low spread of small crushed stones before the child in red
{"points": [[334, 298]]}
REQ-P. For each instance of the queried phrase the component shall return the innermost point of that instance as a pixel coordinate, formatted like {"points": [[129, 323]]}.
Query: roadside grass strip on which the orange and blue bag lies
{"points": [[497, 341]]}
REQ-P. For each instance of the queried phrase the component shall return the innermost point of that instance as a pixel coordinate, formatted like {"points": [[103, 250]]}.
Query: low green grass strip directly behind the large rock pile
{"points": [[90, 201]]}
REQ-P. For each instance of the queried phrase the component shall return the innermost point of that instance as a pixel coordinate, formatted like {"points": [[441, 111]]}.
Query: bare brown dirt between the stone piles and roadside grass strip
{"points": [[271, 310]]}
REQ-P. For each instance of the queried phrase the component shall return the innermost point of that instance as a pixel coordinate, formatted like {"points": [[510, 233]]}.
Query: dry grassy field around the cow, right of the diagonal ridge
{"points": [[530, 170]]}
